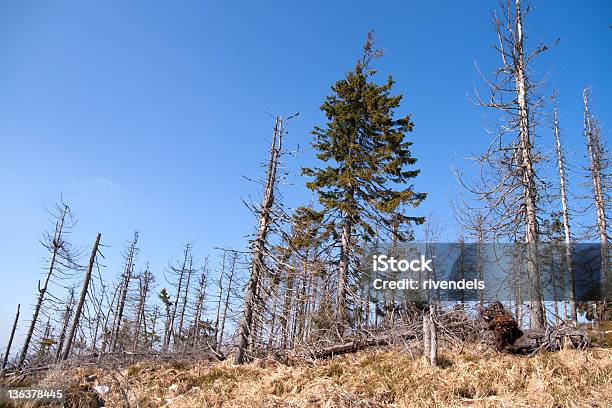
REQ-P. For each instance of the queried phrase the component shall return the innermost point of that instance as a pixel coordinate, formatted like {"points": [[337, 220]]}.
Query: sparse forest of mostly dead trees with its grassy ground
{"points": [[301, 295]]}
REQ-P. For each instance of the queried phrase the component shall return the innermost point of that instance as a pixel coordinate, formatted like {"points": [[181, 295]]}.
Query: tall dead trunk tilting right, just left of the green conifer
{"points": [[259, 244]]}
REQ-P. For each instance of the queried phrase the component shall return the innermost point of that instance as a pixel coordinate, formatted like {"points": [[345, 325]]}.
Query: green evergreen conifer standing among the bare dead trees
{"points": [[365, 186]]}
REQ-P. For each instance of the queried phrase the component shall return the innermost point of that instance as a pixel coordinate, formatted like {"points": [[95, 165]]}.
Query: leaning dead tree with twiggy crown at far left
{"points": [[61, 255]]}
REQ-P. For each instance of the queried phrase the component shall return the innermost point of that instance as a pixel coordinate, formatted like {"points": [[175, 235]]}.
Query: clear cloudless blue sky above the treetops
{"points": [[146, 114]]}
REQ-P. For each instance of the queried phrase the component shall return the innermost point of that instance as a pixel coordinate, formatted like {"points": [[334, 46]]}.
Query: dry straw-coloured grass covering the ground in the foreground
{"points": [[372, 379]]}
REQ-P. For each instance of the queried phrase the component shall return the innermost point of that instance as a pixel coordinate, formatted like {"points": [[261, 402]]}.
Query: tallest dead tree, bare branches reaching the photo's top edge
{"points": [[508, 184]]}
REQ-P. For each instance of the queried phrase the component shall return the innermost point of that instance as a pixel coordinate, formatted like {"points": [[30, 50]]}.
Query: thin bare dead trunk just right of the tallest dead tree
{"points": [[565, 213]]}
